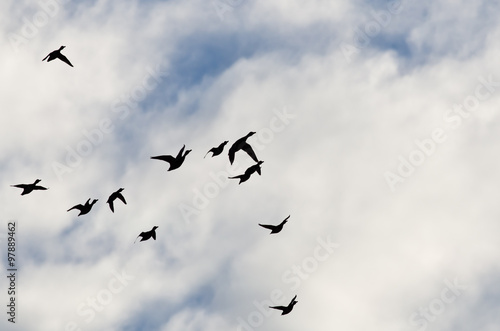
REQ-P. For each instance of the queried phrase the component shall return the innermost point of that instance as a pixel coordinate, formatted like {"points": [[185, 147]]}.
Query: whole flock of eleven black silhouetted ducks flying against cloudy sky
{"points": [[174, 163]]}
